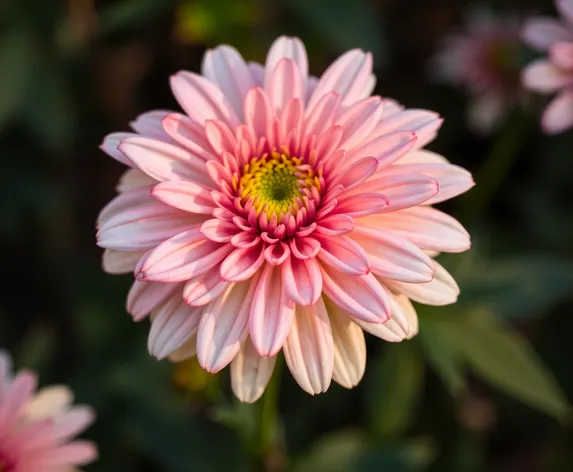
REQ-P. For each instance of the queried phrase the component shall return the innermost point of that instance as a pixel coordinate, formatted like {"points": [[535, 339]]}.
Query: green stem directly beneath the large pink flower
{"points": [[269, 416]]}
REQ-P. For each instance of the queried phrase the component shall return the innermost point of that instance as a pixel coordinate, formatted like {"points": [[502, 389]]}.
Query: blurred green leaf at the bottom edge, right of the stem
{"points": [[334, 453]]}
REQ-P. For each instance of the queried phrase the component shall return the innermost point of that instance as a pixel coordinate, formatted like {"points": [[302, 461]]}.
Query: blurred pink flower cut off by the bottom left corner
{"points": [[37, 429]]}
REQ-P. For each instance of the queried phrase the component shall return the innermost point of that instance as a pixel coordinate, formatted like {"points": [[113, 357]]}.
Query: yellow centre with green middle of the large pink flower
{"points": [[276, 183]]}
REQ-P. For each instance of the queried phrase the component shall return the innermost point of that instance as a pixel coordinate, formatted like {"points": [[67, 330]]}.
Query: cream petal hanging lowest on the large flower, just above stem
{"points": [[250, 373]]}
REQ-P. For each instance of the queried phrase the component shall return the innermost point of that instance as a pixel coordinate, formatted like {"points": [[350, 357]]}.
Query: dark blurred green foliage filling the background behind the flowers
{"points": [[484, 387]]}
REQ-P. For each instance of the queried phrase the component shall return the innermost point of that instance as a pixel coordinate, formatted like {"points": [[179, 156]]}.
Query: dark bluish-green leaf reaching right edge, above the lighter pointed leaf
{"points": [[519, 287]]}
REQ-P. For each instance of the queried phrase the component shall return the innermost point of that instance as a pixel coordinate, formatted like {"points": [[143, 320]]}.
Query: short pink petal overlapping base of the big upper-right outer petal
{"points": [[358, 121]]}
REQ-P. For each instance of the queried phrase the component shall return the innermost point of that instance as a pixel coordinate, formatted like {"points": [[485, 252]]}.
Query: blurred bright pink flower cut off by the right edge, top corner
{"points": [[554, 73]]}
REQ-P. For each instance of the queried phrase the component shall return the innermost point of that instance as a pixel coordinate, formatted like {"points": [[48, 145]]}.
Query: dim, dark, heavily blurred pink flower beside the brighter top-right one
{"points": [[483, 60]]}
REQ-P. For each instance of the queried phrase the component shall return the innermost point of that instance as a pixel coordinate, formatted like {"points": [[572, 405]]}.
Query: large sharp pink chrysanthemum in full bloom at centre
{"points": [[284, 212]]}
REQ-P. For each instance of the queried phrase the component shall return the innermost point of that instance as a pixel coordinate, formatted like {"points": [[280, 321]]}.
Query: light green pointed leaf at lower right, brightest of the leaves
{"points": [[505, 359]]}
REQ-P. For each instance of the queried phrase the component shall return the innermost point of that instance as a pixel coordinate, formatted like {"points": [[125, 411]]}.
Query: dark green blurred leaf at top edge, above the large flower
{"points": [[346, 23]]}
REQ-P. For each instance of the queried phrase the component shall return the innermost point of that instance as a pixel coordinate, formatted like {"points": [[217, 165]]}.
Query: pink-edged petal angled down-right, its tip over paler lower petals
{"points": [[361, 295]]}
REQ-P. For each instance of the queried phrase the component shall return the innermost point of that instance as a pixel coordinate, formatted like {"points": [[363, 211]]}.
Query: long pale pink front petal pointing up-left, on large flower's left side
{"points": [[164, 161]]}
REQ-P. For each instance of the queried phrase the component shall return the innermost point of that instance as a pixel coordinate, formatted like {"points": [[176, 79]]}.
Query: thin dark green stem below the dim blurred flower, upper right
{"points": [[493, 172]]}
